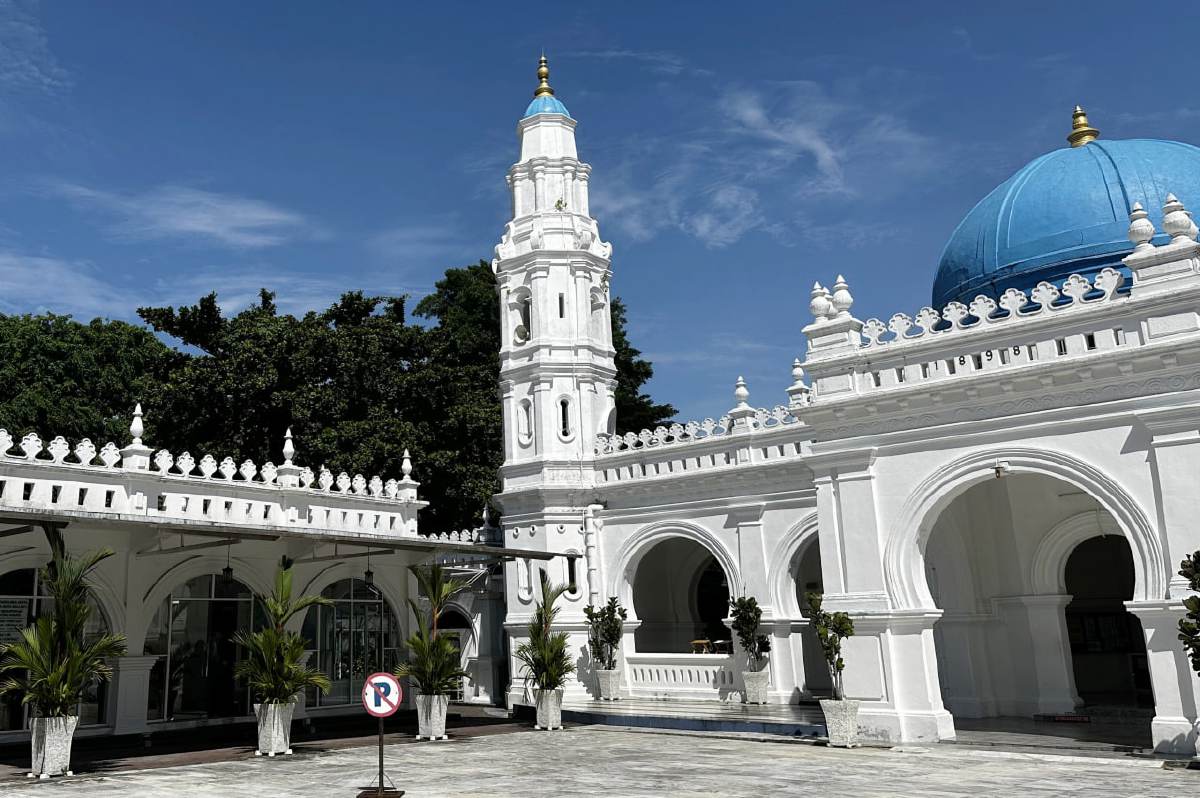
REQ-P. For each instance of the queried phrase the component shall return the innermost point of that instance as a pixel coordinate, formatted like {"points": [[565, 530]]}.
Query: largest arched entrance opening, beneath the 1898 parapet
{"points": [[1025, 592]]}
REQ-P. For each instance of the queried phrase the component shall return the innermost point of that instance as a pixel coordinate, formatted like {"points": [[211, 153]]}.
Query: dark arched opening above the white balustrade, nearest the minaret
{"points": [[681, 596]]}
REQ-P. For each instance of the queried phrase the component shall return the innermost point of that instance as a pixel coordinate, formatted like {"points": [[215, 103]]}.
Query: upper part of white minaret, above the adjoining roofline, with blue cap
{"points": [[557, 373]]}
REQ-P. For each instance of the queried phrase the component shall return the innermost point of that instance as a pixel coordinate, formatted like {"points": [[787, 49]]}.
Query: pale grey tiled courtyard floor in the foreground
{"points": [[604, 761]]}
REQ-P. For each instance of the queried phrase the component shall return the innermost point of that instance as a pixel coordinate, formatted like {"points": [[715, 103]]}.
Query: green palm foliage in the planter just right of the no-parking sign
{"points": [[434, 665]]}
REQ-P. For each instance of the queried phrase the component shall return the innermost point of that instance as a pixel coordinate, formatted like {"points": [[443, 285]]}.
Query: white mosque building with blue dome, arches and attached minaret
{"points": [[999, 488]]}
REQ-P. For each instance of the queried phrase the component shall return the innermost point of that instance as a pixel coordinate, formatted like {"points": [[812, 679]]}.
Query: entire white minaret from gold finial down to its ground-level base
{"points": [[557, 373]]}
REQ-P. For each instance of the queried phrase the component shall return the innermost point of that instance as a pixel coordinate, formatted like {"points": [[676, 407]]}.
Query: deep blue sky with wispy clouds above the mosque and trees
{"points": [[152, 153]]}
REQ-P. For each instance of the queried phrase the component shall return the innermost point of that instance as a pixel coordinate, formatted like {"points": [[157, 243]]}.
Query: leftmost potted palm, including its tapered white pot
{"points": [[52, 665]]}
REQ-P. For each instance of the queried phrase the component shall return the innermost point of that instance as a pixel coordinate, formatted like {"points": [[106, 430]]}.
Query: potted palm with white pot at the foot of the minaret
{"points": [[547, 659]]}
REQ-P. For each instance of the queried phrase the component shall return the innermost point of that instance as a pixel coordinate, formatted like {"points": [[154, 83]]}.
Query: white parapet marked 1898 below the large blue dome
{"points": [[1052, 325]]}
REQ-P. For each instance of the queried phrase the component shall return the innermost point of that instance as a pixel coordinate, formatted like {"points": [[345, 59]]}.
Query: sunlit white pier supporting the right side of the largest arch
{"points": [[1175, 685]]}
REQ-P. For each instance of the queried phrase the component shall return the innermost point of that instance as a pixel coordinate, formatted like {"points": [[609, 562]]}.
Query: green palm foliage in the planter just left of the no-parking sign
{"points": [[274, 665]]}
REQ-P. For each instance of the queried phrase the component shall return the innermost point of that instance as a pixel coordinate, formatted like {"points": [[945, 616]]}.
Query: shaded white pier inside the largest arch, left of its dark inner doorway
{"points": [[1037, 627]]}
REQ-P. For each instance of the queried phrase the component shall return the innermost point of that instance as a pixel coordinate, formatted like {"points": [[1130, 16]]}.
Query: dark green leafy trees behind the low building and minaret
{"points": [[358, 383]]}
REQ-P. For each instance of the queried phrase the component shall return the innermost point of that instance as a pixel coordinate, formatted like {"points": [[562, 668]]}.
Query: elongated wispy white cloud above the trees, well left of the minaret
{"points": [[184, 213]]}
